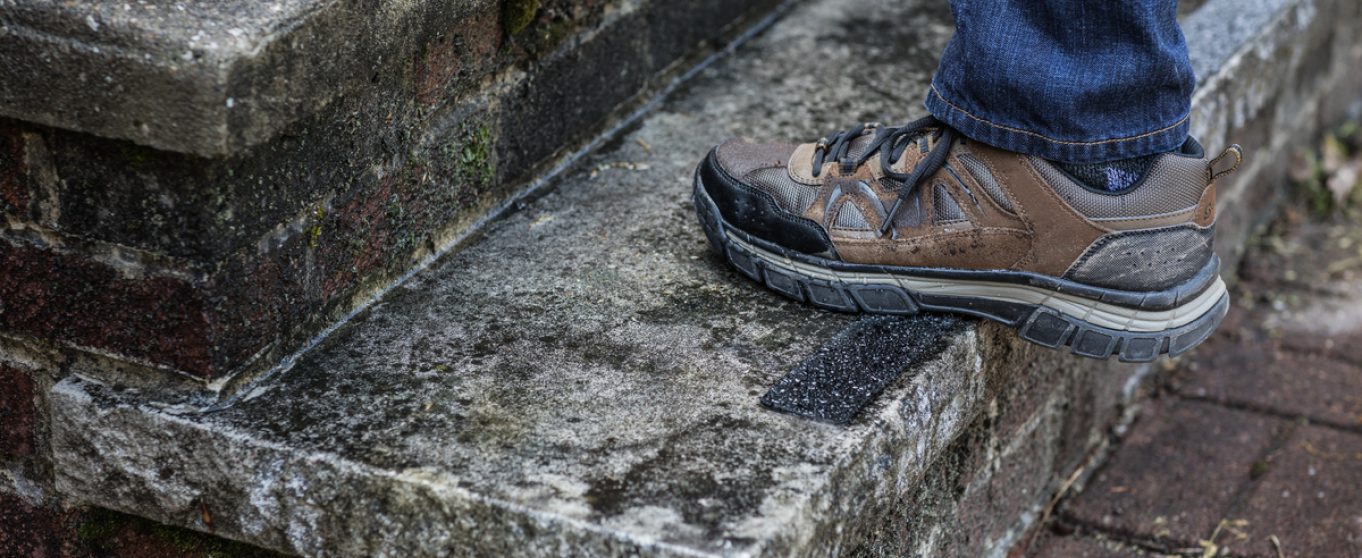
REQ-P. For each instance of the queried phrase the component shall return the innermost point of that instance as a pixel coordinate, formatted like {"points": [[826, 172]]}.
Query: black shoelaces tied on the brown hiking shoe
{"points": [[891, 142]]}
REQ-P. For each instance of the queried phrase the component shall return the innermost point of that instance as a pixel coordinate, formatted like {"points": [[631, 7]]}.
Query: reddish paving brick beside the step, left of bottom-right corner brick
{"points": [[1176, 476]]}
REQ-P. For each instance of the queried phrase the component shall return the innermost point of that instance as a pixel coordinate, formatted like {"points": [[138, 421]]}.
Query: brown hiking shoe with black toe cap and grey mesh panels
{"points": [[898, 220]]}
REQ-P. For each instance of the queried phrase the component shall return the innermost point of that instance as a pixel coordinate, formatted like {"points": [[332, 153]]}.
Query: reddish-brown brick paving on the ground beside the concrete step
{"points": [[1252, 446]]}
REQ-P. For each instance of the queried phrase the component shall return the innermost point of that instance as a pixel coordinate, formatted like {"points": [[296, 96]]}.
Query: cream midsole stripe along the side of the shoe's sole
{"points": [[1094, 312]]}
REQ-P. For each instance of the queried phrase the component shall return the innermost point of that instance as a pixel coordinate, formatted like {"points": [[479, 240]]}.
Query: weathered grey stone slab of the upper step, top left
{"points": [[215, 78]]}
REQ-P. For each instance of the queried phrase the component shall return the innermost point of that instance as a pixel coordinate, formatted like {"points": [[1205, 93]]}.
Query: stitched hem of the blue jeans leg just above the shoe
{"points": [[1162, 138]]}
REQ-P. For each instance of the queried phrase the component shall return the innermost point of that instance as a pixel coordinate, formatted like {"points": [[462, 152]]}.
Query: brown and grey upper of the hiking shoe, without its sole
{"points": [[946, 202]]}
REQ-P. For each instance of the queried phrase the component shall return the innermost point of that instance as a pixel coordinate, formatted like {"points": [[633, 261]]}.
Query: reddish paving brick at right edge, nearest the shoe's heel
{"points": [[1263, 376]]}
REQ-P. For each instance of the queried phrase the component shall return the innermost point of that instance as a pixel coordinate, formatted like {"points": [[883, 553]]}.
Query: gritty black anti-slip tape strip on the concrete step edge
{"points": [[852, 370]]}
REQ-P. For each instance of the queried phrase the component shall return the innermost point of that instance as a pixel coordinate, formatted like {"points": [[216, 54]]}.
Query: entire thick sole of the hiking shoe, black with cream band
{"points": [[1052, 315]]}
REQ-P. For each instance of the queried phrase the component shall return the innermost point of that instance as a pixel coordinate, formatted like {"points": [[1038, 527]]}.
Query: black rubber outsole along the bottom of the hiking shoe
{"points": [[1039, 325]]}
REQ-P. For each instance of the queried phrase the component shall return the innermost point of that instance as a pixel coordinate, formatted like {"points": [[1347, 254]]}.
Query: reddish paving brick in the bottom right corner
{"points": [[1311, 499]]}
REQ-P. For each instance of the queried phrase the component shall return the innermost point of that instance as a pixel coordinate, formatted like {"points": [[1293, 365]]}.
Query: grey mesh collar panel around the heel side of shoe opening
{"points": [[1173, 184]]}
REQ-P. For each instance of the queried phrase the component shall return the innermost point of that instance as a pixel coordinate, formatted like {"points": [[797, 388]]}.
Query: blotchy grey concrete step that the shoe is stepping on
{"points": [[586, 379]]}
